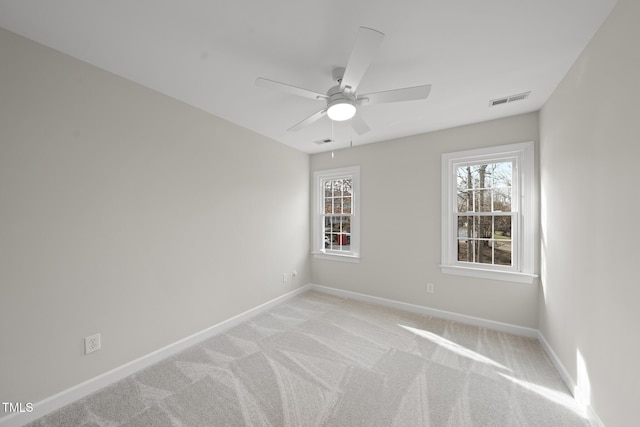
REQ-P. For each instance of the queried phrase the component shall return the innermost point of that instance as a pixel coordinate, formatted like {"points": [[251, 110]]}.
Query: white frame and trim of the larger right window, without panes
{"points": [[524, 208]]}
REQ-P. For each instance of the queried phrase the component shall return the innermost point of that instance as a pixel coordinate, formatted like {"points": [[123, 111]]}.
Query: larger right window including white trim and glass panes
{"points": [[488, 223]]}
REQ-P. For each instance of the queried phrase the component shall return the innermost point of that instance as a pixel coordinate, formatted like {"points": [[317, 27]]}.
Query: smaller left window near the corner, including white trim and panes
{"points": [[336, 214]]}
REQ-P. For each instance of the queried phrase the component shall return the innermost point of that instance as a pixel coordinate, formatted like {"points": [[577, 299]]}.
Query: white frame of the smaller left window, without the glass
{"points": [[319, 250]]}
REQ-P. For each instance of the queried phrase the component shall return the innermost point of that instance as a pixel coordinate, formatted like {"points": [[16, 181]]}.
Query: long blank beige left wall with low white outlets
{"points": [[128, 213]]}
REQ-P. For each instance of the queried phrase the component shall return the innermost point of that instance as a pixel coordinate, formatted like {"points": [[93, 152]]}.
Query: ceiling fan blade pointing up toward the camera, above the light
{"points": [[361, 56]]}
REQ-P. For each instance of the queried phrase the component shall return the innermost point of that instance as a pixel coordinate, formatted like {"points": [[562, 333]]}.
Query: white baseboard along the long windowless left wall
{"points": [[79, 391]]}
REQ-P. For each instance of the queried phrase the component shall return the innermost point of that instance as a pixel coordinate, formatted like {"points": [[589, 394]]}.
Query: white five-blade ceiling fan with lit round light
{"points": [[342, 99]]}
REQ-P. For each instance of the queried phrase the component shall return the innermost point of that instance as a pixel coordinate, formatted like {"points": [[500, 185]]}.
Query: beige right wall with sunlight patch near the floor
{"points": [[590, 240]]}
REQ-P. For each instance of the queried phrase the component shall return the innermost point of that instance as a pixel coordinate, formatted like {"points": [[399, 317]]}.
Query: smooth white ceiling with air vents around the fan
{"points": [[208, 54]]}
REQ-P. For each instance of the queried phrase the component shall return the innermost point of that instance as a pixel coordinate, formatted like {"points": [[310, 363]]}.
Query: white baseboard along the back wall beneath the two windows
{"points": [[442, 314]]}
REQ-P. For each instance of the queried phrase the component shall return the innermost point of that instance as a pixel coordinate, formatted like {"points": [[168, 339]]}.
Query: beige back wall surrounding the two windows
{"points": [[400, 225]]}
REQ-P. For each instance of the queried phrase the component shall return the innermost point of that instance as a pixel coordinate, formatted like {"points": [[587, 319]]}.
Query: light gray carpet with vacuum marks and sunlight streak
{"points": [[320, 360]]}
